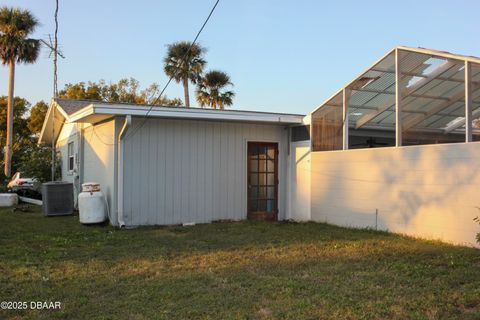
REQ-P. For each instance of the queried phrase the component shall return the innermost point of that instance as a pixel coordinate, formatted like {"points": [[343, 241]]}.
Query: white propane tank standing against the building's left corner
{"points": [[91, 204]]}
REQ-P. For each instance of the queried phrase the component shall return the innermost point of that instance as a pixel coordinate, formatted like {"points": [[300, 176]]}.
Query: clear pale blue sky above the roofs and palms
{"points": [[285, 56]]}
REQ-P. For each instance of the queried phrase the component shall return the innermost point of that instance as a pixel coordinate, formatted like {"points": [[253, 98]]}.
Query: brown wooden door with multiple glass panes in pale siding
{"points": [[262, 181]]}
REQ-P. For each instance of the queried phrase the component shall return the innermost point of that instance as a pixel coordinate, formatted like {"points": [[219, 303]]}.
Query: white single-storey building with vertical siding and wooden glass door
{"points": [[177, 165]]}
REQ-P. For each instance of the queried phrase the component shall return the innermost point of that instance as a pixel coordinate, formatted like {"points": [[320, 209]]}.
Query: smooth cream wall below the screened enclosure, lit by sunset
{"points": [[430, 191]]}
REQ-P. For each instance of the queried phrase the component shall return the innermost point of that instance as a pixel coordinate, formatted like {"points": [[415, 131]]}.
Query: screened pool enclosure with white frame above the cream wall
{"points": [[411, 96]]}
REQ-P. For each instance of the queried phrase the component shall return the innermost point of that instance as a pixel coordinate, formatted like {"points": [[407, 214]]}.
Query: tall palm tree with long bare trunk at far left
{"points": [[15, 26]]}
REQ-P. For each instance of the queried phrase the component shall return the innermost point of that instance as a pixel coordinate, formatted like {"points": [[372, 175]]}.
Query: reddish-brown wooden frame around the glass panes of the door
{"points": [[264, 215]]}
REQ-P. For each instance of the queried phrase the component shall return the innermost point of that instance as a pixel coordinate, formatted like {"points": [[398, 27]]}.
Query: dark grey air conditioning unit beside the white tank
{"points": [[57, 198]]}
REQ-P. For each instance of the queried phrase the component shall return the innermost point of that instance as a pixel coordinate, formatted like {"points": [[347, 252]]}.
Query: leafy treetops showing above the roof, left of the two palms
{"points": [[124, 91]]}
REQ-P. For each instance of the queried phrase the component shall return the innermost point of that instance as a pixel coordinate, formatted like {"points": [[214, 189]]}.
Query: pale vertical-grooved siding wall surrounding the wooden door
{"points": [[178, 171]]}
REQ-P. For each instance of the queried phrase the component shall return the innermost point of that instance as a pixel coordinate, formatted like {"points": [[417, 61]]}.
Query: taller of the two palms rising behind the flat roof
{"points": [[184, 62]]}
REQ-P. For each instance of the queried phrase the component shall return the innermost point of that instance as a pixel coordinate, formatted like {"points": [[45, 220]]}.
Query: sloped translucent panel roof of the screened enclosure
{"points": [[432, 84]]}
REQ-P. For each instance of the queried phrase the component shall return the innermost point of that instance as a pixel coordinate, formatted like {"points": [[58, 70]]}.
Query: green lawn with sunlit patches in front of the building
{"points": [[242, 270]]}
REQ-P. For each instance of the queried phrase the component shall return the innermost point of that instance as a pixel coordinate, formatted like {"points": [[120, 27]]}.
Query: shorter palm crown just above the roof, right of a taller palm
{"points": [[209, 90]]}
